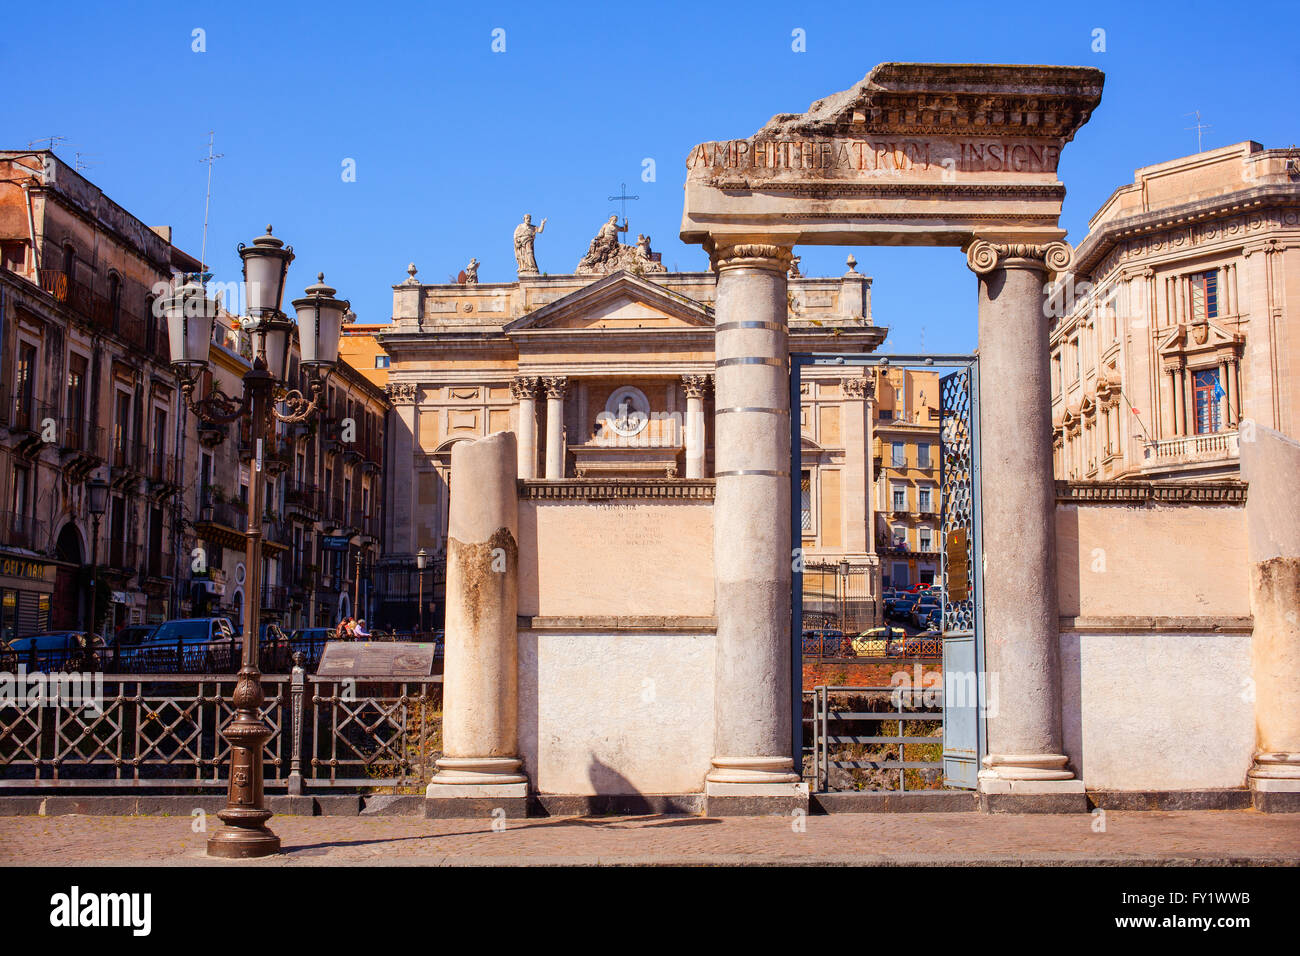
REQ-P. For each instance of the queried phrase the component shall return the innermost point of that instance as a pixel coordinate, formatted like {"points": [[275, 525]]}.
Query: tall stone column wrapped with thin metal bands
{"points": [[753, 767]]}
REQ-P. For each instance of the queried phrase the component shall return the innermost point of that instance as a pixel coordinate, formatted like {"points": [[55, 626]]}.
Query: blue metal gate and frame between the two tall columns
{"points": [[963, 697]]}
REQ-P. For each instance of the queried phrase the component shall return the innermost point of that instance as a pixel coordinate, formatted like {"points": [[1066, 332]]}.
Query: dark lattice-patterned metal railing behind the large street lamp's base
{"points": [[144, 732]]}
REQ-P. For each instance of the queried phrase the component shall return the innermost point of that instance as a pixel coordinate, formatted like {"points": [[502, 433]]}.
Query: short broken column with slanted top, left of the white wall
{"points": [[480, 768]]}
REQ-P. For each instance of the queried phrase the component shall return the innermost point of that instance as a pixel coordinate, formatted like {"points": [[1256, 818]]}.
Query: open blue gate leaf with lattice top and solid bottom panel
{"points": [[964, 648]]}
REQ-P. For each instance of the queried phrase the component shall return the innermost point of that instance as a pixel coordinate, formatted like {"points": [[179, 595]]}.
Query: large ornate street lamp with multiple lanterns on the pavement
{"points": [[190, 315]]}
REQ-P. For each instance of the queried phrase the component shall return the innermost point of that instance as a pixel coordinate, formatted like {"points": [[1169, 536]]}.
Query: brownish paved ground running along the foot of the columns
{"points": [[1130, 838]]}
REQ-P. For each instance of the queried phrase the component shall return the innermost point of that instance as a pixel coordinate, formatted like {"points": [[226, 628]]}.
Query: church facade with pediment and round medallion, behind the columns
{"points": [[608, 379]]}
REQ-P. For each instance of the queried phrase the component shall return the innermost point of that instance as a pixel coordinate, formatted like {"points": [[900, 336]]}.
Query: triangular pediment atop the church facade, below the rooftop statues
{"points": [[617, 302]]}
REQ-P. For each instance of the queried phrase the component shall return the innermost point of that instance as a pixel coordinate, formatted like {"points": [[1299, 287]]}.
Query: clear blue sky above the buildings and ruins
{"points": [[454, 142]]}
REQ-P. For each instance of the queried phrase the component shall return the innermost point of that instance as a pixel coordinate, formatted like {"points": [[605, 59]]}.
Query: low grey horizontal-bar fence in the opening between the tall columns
{"points": [[838, 742]]}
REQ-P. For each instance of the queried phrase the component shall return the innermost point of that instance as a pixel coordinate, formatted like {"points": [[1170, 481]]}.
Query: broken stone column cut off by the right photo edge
{"points": [[1269, 464]]}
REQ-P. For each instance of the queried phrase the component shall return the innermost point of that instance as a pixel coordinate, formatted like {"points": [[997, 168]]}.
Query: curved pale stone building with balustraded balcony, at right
{"points": [[1178, 330]]}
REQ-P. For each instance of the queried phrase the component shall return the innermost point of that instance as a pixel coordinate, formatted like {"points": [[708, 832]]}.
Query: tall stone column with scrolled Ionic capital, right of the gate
{"points": [[1026, 765]]}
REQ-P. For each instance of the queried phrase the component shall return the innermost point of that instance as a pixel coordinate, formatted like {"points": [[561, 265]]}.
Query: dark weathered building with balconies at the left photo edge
{"points": [[89, 393]]}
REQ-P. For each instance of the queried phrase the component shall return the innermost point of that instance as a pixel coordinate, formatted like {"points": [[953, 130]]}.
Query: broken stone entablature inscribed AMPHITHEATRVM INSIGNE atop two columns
{"points": [[915, 154]]}
